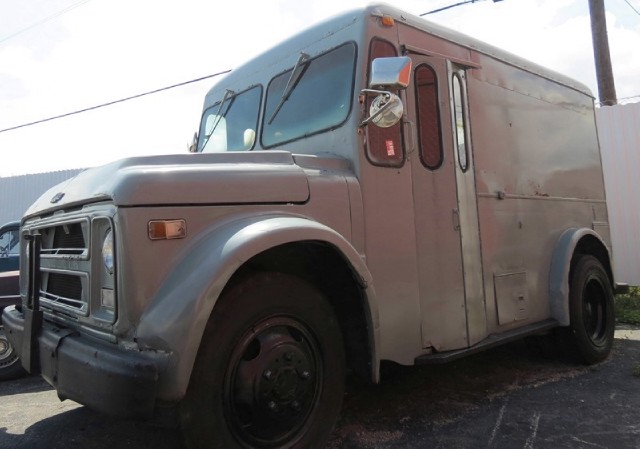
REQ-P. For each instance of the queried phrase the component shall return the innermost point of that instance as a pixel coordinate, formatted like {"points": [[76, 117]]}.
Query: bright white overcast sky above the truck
{"points": [[59, 56]]}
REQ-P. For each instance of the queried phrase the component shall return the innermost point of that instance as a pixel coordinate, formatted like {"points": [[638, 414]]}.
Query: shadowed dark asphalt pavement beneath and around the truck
{"points": [[509, 397]]}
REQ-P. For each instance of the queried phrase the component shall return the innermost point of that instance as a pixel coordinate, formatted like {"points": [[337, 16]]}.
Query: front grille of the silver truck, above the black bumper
{"points": [[73, 276]]}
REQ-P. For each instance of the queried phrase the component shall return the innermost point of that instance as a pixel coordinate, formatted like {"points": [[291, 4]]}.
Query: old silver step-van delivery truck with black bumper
{"points": [[375, 188]]}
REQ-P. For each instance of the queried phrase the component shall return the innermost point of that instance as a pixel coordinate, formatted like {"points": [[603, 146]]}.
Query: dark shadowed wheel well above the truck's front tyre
{"points": [[323, 266]]}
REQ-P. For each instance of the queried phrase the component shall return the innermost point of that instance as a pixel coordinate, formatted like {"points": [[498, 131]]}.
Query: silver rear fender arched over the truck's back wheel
{"points": [[559, 271]]}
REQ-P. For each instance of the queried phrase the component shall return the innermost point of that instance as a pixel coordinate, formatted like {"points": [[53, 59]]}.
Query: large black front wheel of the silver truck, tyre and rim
{"points": [[270, 369]]}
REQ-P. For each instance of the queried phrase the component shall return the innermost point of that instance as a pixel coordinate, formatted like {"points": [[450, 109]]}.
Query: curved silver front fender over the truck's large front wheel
{"points": [[176, 316]]}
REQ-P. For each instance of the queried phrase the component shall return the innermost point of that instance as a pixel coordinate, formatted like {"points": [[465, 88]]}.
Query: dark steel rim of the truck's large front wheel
{"points": [[273, 382]]}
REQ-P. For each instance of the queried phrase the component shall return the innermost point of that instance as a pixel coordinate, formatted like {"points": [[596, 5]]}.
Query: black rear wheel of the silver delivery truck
{"points": [[591, 310]]}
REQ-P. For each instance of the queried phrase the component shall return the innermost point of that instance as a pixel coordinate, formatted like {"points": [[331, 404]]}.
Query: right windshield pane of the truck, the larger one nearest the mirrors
{"points": [[320, 98]]}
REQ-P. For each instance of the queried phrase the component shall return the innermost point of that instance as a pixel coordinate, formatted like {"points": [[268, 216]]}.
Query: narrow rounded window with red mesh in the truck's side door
{"points": [[429, 133]]}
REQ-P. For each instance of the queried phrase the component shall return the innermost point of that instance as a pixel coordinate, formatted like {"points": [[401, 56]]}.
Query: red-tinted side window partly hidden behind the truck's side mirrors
{"points": [[383, 145]]}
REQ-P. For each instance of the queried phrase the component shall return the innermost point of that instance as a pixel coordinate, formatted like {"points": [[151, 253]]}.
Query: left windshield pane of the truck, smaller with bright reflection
{"points": [[230, 124]]}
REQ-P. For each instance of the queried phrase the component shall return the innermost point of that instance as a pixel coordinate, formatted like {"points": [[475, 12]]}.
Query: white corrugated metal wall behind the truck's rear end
{"points": [[619, 132]]}
